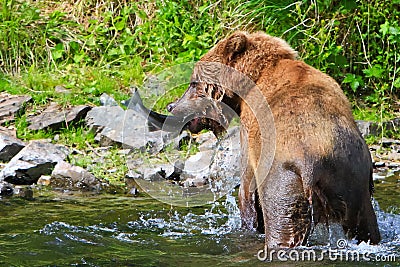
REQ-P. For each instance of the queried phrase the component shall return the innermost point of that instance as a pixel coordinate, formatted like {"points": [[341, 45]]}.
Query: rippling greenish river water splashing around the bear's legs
{"points": [[114, 230]]}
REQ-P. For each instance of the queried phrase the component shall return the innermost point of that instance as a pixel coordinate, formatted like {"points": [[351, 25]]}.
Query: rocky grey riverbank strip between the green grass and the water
{"points": [[46, 163]]}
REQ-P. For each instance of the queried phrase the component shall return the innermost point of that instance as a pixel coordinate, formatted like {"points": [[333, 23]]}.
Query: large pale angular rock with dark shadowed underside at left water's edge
{"points": [[36, 159]]}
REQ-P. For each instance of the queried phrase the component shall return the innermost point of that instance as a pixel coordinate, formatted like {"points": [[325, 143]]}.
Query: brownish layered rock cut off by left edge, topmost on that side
{"points": [[11, 106]]}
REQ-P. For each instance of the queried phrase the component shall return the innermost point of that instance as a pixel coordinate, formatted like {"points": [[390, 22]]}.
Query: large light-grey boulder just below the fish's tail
{"points": [[113, 125]]}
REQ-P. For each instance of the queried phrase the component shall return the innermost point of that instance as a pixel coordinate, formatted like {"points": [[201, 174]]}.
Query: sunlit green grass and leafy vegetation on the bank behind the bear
{"points": [[92, 47]]}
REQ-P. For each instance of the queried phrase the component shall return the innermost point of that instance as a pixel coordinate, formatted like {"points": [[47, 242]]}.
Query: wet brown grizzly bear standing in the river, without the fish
{"points": [[306, 162]]}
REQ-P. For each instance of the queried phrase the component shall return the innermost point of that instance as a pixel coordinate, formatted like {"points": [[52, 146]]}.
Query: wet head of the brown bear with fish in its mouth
{"points": [[224, 75]]}
